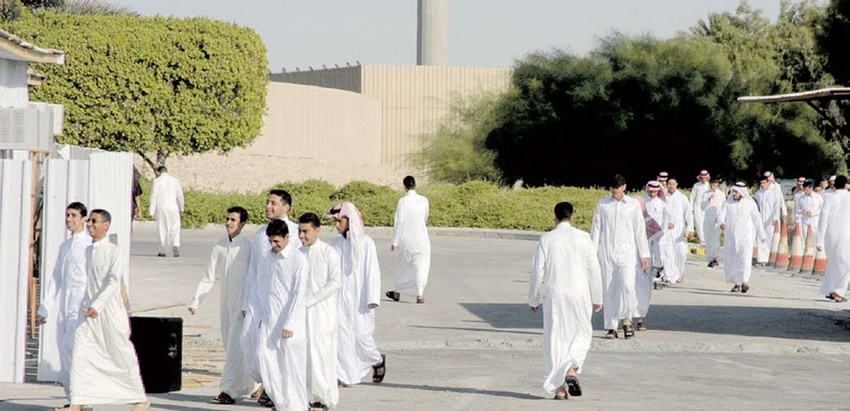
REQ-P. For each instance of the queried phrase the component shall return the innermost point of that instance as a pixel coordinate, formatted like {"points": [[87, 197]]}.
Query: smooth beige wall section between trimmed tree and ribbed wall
{"points": [[321, 123]]}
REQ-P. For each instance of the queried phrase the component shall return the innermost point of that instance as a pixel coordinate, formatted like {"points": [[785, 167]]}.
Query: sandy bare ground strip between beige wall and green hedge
{"points": [[246, 173]]}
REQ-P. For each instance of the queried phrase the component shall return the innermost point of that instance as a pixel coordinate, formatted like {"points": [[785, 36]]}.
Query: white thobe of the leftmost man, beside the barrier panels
{"points": [[62, 300]]}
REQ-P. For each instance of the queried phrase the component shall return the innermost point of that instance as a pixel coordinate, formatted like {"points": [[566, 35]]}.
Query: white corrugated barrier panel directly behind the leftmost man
{"points": [[66, 181]]}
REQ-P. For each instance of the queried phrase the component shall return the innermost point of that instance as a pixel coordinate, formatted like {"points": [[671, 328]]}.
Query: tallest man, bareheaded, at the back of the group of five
{"points": [[278, 204]]}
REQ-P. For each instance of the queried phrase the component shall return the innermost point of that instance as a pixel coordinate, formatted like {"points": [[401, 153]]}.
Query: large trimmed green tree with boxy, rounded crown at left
{"points": [[154, 86]]}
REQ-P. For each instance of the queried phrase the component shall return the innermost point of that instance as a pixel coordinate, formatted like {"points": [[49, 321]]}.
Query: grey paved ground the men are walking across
{"points": [[474, 345]]}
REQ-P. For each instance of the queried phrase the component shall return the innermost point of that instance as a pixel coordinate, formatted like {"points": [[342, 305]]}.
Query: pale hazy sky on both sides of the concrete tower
{"points": [[482, 33]]}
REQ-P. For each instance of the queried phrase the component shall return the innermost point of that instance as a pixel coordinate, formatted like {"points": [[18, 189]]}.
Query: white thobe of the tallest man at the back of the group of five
{"points": [[260, 249]]}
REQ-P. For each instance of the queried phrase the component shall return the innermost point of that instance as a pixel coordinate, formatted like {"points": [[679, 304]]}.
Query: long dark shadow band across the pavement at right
{"points": [[776, 322]]}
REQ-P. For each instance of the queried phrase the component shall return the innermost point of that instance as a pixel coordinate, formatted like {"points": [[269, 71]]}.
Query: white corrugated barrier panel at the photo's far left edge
{"points": [[15, 231]]}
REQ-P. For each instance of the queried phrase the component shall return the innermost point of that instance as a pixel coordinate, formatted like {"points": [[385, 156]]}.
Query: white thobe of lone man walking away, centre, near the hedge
{"points": [[410, 235]]}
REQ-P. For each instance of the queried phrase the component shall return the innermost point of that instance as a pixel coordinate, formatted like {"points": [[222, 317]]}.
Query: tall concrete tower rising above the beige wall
{"points": [[432, 33]]}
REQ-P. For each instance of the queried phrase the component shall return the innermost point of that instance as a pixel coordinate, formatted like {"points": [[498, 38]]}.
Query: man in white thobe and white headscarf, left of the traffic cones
{"points": [[740, 221]]}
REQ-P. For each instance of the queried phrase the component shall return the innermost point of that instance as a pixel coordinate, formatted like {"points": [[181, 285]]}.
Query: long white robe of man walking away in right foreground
{"points": [[567, 280]]}
